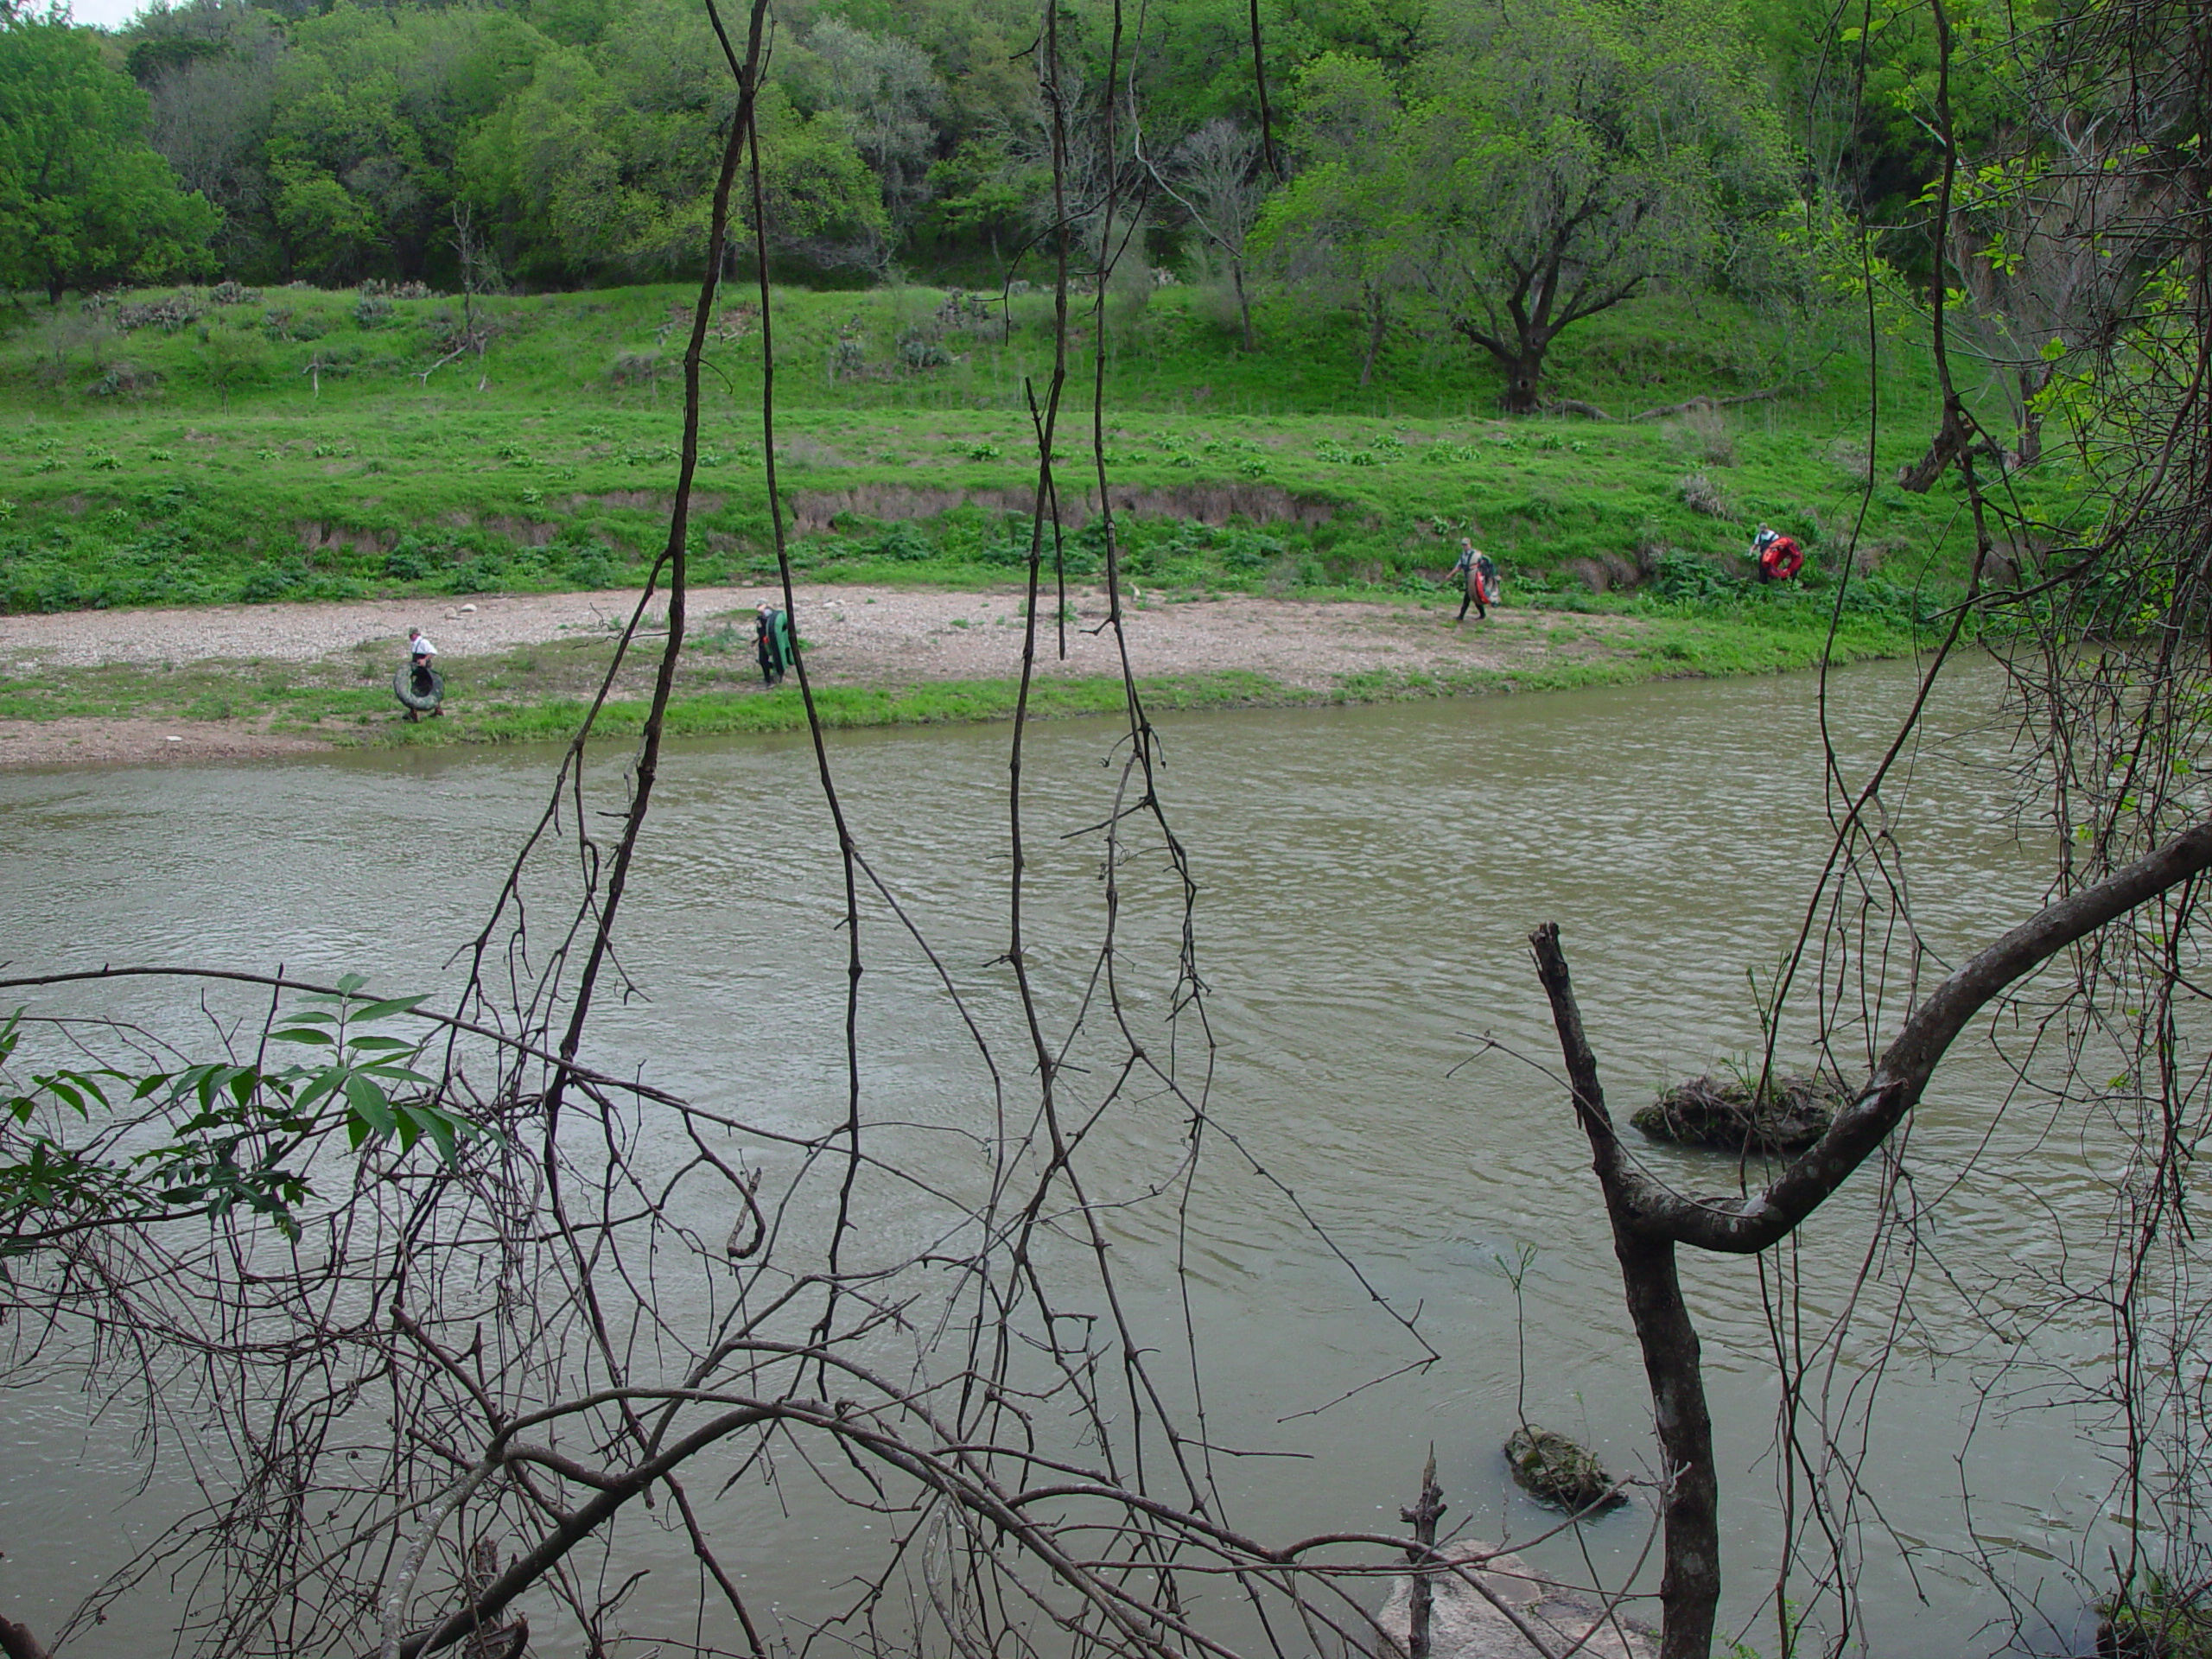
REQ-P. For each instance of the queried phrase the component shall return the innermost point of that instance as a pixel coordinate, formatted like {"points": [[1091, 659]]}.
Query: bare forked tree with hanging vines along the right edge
{"points": [[2107, 693]]}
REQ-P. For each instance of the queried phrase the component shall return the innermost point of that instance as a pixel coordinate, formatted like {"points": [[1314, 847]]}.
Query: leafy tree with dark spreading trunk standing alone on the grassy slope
{"points": [[1552, 163]]}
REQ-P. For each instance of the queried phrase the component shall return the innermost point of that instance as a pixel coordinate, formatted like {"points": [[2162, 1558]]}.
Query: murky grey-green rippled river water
{"points": [[1368, 879]]}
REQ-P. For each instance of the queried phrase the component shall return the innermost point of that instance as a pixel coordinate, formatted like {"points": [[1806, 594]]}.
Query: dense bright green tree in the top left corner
{"points": [[83, 198]]}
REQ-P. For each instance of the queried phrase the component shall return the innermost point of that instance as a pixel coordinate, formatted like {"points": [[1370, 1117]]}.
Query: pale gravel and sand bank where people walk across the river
{"points": [[859, 636]]}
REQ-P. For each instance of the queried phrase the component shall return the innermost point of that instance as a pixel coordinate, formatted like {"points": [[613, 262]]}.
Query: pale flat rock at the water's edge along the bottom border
{"points": [[1468, 1625]]}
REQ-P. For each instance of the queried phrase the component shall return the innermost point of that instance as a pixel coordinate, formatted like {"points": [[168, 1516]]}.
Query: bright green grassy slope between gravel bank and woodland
{"points": [[209, 446]]}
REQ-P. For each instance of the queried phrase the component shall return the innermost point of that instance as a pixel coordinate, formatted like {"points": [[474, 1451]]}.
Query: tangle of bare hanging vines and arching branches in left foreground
{"points": [[441, 1386]]}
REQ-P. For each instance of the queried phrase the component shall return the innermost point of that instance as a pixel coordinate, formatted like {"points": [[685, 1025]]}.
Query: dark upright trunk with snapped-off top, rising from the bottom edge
{"points": [[1691, 1580]]}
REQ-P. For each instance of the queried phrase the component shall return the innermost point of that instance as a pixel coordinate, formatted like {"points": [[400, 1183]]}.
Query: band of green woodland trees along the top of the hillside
{"points": [[1481, 169]]}
